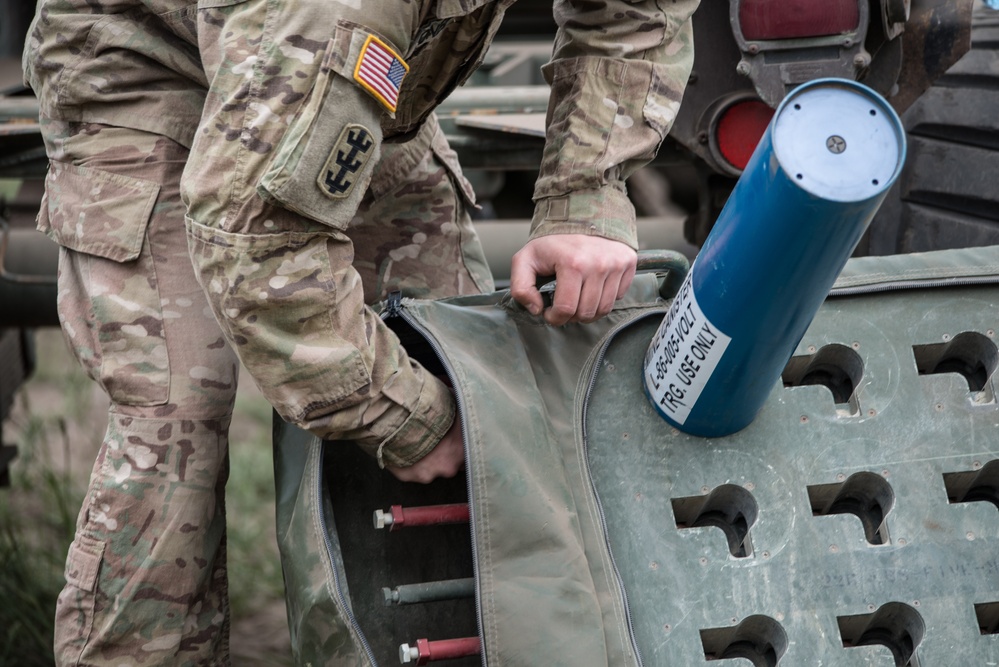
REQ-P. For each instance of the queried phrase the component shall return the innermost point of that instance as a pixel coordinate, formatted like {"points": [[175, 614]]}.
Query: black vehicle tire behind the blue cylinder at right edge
{"points": [[947, 194]]}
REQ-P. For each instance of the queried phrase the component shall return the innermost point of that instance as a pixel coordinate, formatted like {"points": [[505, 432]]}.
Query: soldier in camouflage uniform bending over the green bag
{"points": [[297, 142]]}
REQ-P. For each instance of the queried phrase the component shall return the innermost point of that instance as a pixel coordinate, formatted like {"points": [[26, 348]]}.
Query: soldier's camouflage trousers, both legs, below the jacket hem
{"points": [[146, 574]]}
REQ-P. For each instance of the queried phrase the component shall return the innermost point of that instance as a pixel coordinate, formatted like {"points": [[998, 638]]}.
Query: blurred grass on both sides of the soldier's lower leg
{"points": [[58, 423]]}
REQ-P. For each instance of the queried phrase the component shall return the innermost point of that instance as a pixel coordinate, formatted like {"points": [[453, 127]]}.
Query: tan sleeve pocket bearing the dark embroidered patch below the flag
{"points": [[323, 163]]}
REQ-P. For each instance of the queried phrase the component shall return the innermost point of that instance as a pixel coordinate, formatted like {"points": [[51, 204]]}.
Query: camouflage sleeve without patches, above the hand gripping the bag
{"points": [[617, 74]]}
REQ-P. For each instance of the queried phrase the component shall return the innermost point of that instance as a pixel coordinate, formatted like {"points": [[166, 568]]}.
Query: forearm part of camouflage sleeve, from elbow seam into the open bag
{"points": [[292, 306]]}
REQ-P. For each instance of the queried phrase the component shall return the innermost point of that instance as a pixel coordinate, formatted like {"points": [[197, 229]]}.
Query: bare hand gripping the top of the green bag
{"points": [[591, 272]]}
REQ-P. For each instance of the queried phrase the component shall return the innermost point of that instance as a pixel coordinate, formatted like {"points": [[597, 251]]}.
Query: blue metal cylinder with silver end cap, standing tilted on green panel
{"points": [[832, 151]]}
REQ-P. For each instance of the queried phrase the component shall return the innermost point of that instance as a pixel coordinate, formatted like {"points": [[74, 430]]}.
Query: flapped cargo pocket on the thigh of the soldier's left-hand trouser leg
{"points": [[109, 303]]}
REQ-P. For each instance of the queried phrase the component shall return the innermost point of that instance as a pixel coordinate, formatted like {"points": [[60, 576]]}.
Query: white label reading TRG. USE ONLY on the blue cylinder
{"points": [[683, 355]]}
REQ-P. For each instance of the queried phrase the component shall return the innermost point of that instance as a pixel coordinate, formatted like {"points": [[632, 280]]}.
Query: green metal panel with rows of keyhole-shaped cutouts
{"points": [[829, 521]]}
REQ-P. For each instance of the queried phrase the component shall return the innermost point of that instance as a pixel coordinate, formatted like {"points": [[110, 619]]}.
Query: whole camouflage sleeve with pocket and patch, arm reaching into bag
{"points": [[279, 166]]}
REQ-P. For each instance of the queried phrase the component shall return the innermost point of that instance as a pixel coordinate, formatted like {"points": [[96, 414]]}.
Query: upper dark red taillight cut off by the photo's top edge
{"points": [[788, 19]]}
